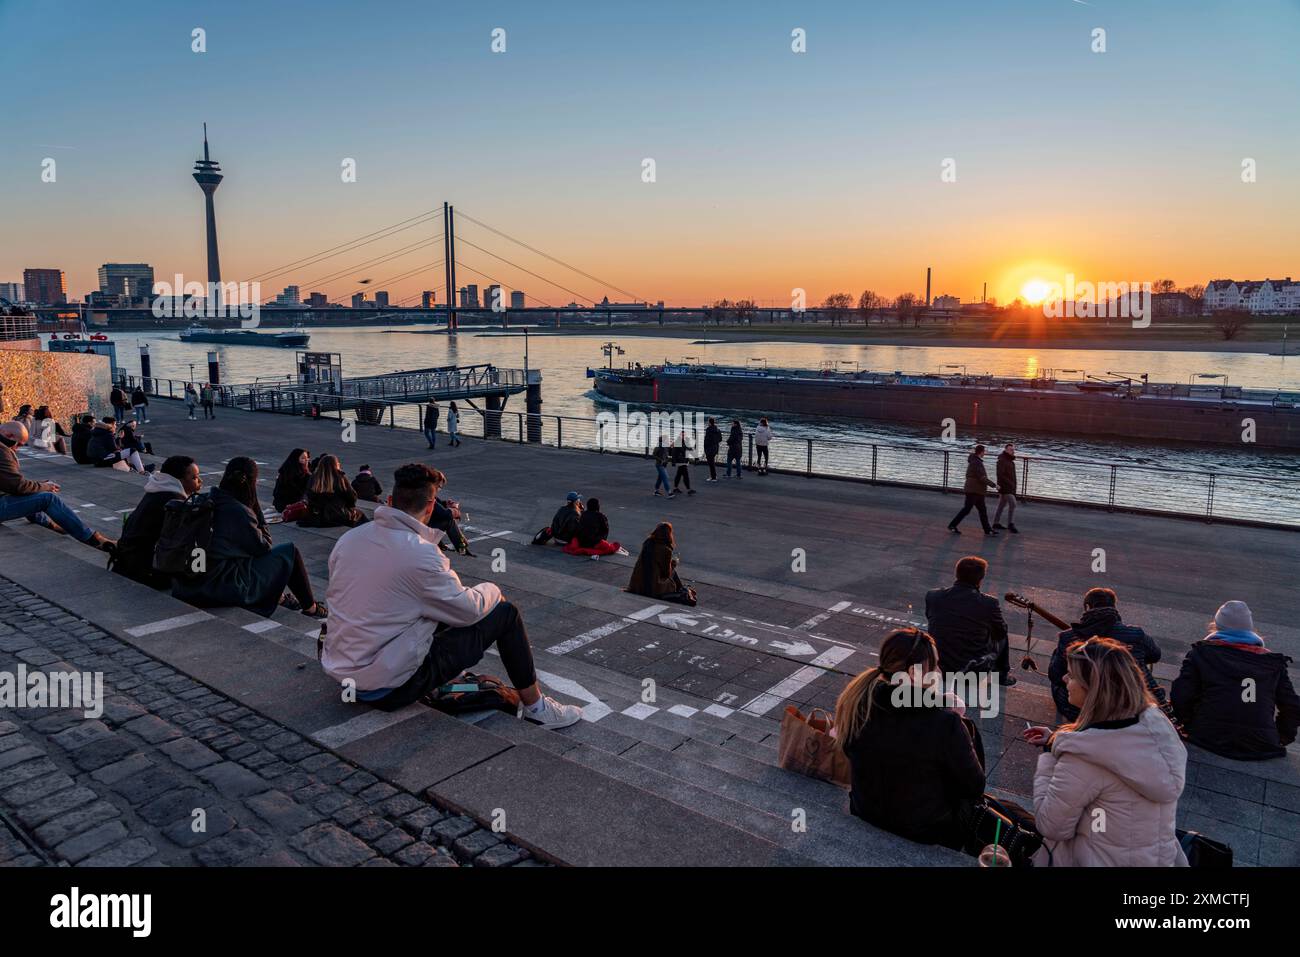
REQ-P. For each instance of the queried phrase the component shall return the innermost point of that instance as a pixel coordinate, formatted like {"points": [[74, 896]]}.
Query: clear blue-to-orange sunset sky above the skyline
{"points": [[774, 171]]}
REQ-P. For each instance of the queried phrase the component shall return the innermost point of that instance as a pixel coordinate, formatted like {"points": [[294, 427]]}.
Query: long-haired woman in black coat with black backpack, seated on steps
{"points": [[244, 569]]}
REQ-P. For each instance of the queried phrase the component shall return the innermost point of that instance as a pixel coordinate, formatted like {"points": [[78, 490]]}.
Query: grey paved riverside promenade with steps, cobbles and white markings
{"points": [[677, 760]]}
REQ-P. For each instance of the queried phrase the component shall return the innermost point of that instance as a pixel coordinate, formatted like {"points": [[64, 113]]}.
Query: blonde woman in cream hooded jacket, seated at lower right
{"points": [[1121, 763]]}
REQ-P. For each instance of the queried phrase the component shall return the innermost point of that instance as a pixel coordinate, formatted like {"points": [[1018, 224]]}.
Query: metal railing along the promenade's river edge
{"points": [[1225, 496]]}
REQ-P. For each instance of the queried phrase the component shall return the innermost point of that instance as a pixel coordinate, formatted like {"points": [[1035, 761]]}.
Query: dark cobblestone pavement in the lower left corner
{"points": [[128, 789]]}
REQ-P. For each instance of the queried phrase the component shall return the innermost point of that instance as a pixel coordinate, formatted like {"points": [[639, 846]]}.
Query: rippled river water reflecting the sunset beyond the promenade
{"points": [[567, 392]]}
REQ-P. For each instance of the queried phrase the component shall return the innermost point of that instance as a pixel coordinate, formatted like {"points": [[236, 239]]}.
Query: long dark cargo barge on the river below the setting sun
{"points": [[1116, 406]]}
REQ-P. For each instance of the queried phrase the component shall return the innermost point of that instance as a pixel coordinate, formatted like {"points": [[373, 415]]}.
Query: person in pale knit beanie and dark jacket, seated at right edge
{"points": [[1210, 694]]}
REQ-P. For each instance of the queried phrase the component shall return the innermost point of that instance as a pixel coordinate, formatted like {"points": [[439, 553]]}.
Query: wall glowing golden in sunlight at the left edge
{"points": [[68, 383]]}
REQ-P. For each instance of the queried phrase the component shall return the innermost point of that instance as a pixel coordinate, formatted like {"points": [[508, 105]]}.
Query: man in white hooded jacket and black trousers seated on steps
{"points": [[402, 625]]}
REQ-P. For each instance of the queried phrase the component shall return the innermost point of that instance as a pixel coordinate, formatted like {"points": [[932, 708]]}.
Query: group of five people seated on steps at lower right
{"points": [[1119, 748]]}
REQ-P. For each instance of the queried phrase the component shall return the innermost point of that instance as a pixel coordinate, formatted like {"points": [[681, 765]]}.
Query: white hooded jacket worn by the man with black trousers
{"points": [[391, 586]]}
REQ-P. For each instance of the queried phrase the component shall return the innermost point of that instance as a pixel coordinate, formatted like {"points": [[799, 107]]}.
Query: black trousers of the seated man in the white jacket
{"points": [[457, 649]]}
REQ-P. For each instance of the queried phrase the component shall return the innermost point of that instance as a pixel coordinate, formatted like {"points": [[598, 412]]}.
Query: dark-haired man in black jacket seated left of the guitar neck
{"points": [[968, 625]]}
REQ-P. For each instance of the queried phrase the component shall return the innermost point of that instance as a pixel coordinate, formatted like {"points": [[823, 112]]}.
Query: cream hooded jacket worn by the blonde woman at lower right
{"points": [[1108, 796]]}
